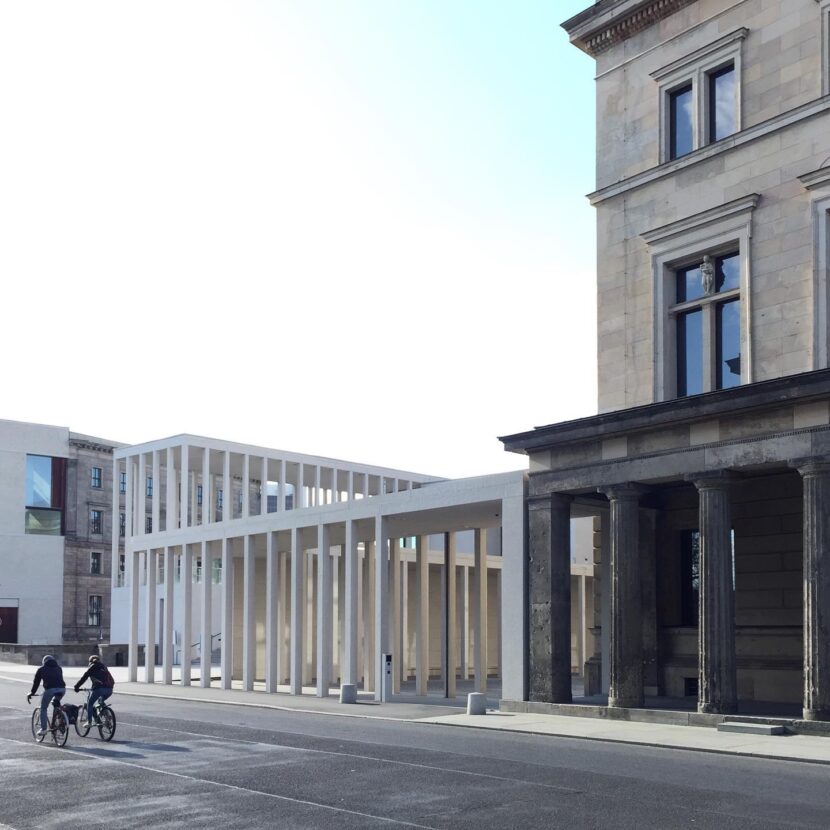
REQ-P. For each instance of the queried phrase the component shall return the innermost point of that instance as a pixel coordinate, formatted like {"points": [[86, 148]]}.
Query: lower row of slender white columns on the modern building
{"points": [[321, 604]]}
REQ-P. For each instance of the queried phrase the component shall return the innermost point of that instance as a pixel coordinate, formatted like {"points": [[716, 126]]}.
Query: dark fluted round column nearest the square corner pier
{"points": [[626, 645]]}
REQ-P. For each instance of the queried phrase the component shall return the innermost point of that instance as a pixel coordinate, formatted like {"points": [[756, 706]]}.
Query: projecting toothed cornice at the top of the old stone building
{"points": [[609, 22]]}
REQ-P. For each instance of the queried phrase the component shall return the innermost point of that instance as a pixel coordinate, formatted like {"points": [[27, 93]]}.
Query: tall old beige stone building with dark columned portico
{"points": [[708, 468]]}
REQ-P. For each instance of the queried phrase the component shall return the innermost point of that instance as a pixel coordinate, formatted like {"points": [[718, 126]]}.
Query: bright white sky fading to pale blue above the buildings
{"points": [[348, 228]]}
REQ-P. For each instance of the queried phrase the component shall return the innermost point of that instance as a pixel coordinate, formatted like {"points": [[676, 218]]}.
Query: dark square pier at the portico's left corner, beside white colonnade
{"points": [[549, 590]]}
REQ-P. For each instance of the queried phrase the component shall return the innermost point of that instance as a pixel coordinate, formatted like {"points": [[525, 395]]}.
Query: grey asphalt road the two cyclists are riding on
{"points": [[183, 764]]}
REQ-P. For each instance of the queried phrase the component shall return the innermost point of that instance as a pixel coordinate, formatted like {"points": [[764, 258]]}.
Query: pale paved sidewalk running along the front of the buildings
{"points": [[803, 748]]}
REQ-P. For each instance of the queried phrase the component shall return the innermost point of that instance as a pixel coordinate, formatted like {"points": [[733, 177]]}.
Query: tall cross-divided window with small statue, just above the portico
{"points": [[707, 312]]}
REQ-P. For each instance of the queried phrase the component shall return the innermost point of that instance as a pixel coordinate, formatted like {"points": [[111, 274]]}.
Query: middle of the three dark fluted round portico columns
{"points": [[717, 676]]}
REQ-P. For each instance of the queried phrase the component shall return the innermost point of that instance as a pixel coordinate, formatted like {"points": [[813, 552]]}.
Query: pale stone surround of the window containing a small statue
{"points": [[716, 231]]}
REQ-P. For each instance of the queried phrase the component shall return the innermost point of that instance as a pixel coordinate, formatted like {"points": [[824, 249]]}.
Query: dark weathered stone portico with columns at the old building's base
{"points": [[712, 512]]}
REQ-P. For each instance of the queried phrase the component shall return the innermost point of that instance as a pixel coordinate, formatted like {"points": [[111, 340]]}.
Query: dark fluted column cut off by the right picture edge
{"points": [[816, 479]]}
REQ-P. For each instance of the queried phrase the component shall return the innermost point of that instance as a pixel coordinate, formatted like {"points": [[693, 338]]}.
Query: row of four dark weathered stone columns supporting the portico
{"points": [[550, 601]]}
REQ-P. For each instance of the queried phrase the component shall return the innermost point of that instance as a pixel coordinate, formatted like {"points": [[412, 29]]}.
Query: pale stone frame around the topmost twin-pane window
{"points": [[696, 69]]}
